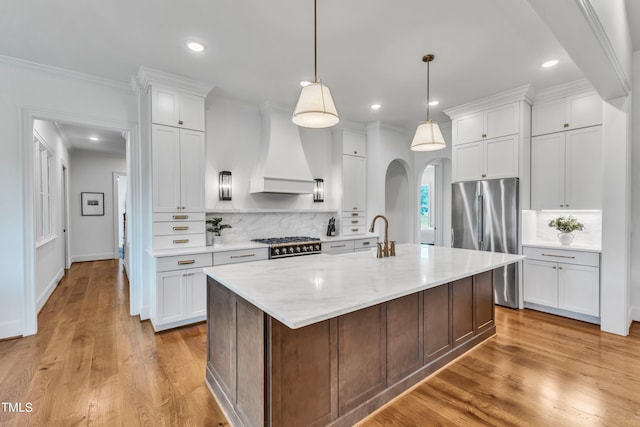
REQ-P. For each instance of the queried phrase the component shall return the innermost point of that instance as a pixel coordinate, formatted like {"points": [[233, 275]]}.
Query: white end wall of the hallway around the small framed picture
{"points": [[92, 237]]}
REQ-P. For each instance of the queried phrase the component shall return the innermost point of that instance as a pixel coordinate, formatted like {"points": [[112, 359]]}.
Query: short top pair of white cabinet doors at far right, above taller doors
{"points": [[567, 113]]}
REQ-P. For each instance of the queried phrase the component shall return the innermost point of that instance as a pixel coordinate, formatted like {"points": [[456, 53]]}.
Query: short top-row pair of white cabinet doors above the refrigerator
{"points": [[492, 123]]}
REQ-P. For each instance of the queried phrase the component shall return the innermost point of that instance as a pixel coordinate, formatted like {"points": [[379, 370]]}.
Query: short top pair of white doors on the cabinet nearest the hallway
{"points": [[174, 108]]}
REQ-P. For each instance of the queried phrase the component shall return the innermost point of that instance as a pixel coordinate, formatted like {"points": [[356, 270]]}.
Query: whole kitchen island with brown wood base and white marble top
{"points": [[326, 340]]}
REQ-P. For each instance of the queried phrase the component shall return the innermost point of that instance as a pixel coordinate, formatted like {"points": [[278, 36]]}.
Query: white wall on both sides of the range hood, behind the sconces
{"points": [[233, 135]]}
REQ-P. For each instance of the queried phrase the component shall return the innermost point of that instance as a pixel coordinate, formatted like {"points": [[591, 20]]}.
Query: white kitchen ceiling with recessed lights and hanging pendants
{"points": [[368, 50]]}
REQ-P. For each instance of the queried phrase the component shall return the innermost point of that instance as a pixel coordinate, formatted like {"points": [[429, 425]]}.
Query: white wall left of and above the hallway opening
{"points": [[45, 93]]}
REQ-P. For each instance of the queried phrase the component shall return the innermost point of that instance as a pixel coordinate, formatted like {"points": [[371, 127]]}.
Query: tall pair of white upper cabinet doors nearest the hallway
{"points": [[178, 169]]}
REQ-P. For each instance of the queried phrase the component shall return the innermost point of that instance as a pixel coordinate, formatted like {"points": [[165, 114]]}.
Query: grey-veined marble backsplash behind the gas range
{"points": [[258, 225]]}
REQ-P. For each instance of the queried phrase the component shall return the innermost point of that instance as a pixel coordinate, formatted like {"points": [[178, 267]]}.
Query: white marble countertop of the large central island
{"points": [[300, 291]]}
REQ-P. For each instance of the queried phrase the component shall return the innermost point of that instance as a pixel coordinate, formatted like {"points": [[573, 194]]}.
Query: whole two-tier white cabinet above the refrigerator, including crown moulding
{"points": [[490, 137]]}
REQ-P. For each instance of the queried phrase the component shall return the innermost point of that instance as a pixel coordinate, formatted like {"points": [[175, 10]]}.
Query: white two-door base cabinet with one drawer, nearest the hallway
{"points": [[180, 292]]}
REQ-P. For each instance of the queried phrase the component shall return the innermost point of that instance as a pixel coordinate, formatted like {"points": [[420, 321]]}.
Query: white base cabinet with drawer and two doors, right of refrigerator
{"points": [[563, 282]]}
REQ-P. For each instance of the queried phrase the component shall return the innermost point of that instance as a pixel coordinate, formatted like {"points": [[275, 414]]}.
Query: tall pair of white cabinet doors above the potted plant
{"points": [[566, 170]]}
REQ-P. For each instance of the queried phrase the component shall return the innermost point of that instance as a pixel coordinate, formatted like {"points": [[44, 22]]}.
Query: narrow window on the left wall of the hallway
{"points": [[44, 209]]}
